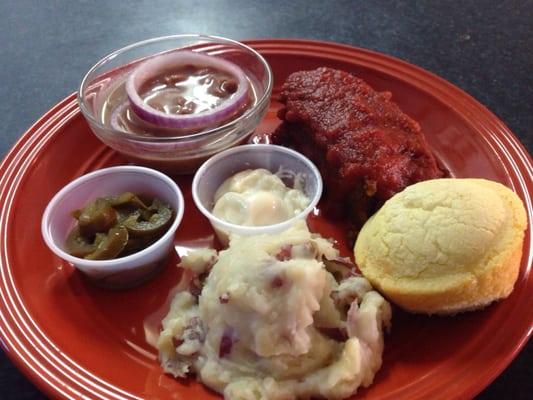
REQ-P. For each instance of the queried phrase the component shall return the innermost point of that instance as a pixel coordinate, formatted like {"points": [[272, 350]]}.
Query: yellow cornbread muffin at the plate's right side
{"points": [[444, 246]]}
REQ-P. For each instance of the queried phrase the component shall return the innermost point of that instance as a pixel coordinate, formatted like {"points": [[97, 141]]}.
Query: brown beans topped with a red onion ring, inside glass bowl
{"points": [[179, 92]]}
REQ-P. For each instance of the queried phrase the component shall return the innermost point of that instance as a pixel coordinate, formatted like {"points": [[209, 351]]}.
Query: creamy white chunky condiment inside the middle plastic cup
{"points": [[256, 198]]}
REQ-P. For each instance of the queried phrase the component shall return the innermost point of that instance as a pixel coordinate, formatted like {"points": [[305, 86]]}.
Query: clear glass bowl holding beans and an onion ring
{"points": [[174, 153]]}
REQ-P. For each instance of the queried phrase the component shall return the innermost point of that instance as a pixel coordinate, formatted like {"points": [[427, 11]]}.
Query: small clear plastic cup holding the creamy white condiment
{"points": [[274, 158]]}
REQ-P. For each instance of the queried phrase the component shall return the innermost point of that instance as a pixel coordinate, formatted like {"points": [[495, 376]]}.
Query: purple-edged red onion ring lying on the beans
{"points": [[151, 68]]}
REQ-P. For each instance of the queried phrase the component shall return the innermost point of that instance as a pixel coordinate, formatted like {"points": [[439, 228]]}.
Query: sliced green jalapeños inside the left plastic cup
{"points": [[116, 226]]}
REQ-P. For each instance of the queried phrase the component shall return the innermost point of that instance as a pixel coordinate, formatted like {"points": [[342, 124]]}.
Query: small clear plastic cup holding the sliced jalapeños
{"points": [[121, 272]]}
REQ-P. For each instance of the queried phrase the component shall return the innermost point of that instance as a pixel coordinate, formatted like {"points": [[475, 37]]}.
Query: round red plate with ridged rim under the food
{"points": [[75, 340]]}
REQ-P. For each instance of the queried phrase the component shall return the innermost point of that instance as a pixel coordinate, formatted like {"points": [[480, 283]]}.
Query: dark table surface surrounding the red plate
{"points": [[483, 47]]}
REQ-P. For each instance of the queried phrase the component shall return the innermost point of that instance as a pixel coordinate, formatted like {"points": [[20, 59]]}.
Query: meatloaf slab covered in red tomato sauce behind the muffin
{"points": [[365, 147]]}
